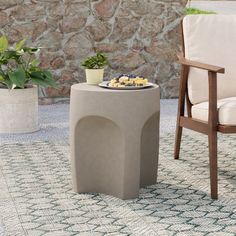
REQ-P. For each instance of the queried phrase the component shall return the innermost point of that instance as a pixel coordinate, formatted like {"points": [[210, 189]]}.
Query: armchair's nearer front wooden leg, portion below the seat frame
{"points": [[212, 140]]}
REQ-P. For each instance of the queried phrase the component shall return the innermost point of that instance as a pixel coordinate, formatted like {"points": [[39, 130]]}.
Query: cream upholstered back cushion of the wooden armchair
{"points": [[210, 39]]}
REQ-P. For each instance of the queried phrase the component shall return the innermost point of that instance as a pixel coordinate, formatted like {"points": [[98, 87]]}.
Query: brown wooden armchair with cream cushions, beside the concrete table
{"points": [[210, 101]]}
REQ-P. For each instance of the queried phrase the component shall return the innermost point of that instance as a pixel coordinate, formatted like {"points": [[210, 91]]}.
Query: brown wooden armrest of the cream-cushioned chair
{"points": [[199, 65]]}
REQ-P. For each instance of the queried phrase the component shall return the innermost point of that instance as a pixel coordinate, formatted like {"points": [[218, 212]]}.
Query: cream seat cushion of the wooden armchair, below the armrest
{"points": [[226, 111]]}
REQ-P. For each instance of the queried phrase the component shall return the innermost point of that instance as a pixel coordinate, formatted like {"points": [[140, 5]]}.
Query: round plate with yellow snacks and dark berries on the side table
{"points": [[127, 82]]}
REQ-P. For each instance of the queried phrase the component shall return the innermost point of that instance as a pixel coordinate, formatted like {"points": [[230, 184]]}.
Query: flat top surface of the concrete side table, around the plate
{"points": [[96, 88]]}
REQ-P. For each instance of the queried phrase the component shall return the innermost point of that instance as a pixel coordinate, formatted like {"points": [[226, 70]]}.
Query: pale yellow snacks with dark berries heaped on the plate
{"points": [[128, 81]]}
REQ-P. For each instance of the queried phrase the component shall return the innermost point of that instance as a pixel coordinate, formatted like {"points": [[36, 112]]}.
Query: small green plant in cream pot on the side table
{"points": [[94, 68]]}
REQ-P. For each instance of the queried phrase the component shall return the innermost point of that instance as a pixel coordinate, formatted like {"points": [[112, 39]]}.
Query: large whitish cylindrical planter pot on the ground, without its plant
{"points": [[19, 110]]}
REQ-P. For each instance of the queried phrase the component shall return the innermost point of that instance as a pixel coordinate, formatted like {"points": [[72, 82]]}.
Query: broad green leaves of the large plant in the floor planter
{"points": [[19, 67]]}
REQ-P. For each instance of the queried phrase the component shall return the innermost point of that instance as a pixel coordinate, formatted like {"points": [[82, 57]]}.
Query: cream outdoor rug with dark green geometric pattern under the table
{"points": [[36, 197]]}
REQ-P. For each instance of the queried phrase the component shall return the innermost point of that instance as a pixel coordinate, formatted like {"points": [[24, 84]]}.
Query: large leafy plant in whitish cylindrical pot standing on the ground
{"points": [[20, 75]]}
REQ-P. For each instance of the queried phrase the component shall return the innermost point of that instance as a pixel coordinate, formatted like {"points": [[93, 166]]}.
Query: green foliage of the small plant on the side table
{"points": [[98, 61]]}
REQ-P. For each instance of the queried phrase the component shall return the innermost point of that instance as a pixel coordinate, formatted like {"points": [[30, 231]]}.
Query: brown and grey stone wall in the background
{"points": [[139, 36]]}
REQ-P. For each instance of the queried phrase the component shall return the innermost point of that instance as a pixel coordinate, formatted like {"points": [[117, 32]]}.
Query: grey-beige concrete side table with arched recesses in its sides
{"points": [[114, 139]]}
